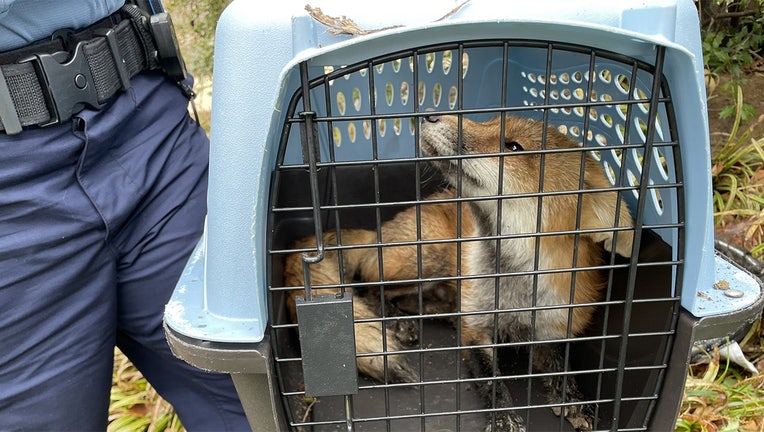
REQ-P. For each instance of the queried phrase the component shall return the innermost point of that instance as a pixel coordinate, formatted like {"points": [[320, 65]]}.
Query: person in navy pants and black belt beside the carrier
{"points": [[102, 198]]}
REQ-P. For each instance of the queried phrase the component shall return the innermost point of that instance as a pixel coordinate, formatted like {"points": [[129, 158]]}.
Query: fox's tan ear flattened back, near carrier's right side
{"points": [[602, 214]]}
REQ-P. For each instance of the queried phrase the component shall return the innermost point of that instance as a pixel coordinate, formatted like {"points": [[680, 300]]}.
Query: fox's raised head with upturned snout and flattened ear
{"points": [[521, 158]]}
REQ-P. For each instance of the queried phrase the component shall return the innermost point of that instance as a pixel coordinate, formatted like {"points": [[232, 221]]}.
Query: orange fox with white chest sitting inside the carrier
{"points": [[525, 208]]}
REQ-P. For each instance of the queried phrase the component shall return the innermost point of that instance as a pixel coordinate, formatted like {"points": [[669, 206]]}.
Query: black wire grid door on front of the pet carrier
{"points": [[508, 218]]}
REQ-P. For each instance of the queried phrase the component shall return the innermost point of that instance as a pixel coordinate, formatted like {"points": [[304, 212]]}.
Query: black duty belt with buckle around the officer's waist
{"points": [[46, 83]]}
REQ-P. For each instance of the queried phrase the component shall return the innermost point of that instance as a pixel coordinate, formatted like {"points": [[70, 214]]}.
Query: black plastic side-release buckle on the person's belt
{"points": [[68, 83]]}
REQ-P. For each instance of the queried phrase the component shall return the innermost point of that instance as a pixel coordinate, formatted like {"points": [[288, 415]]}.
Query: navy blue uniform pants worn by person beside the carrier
{"points": [[97, 218]]}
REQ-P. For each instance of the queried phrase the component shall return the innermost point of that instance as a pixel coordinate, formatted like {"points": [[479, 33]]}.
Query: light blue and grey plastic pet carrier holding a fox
{"points": [[440, 216]]}
